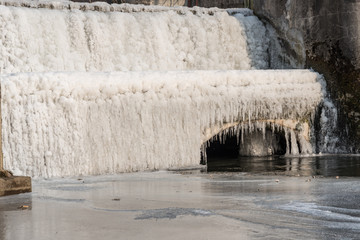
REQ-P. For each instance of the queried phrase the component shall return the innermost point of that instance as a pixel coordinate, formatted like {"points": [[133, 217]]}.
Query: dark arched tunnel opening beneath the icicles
{"points": [[232, 152]]}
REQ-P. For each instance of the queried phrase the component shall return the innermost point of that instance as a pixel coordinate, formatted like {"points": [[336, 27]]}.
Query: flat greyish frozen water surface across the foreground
{"points": [[185, 205]]}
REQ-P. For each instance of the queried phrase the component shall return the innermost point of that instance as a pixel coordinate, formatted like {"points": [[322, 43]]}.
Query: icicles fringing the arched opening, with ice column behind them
{"points": [[260, 137]]}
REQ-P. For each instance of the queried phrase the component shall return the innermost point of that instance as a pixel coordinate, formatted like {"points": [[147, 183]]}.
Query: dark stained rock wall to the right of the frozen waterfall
{"points": [[323, 35]]}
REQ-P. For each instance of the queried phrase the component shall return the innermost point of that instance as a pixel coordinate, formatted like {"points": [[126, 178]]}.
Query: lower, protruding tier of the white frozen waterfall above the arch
{"points": [[58, 124]]}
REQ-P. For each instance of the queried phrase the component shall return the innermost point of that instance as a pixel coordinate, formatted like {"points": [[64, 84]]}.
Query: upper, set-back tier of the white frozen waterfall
{"points": [[125, 39]]}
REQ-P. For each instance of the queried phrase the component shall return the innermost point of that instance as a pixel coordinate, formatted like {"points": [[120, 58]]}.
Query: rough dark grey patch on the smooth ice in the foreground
{"points": [[172, 213]]}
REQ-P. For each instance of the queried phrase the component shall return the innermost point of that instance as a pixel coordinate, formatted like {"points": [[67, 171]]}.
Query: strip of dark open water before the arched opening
{"points": [[318, 165]]}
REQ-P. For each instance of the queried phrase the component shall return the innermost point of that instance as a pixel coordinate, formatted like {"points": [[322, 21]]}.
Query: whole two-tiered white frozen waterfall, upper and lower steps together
{"points": [[97, 88]]}
